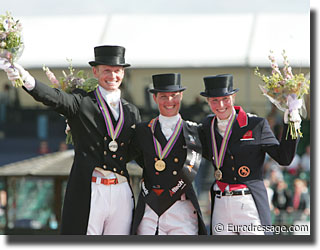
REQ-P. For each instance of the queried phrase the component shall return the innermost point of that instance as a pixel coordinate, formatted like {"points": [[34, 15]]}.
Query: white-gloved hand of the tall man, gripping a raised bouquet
{"points": [[15, 72]]}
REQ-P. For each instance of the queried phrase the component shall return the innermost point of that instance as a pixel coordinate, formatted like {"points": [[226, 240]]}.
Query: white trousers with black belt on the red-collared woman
{"points": [[234, 215]]}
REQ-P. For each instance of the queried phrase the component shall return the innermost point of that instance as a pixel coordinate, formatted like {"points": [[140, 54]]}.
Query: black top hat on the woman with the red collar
{"points": [[219, 85]]}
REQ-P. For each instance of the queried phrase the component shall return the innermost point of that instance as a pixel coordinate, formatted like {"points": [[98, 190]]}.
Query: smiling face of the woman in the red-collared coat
{"points": [[222, 106]]}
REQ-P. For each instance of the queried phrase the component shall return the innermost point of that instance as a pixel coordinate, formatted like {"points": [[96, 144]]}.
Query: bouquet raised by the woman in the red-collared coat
{"points": [[286, 90]]}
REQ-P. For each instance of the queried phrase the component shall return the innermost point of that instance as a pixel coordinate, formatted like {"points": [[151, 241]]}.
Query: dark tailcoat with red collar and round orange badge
{"points": [[250, 140]]}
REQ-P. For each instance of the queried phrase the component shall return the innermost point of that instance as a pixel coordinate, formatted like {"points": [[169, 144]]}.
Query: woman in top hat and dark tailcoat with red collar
{"points": [[236, 143]]}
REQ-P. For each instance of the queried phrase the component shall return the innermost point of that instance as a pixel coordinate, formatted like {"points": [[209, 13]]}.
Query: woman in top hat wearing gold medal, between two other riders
{"points": [[171, 152]]}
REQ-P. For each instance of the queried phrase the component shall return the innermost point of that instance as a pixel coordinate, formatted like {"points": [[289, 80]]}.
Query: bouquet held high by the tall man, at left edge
{"points": [[11, 45]]}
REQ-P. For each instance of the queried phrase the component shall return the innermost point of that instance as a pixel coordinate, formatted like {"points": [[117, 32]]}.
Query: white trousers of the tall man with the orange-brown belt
{"points": [[111, 209]]}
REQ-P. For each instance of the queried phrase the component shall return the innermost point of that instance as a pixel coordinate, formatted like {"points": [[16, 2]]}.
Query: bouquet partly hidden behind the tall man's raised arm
{"points": [[68, 83]]}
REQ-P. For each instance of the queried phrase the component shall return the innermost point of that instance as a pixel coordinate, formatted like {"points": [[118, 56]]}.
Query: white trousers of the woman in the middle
{"points": [[180, 219]]}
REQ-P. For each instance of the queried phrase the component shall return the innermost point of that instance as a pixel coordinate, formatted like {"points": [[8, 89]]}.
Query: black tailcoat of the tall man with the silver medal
{"points": [[91, 141]]}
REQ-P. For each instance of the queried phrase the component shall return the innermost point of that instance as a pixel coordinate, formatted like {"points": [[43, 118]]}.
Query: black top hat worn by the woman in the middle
{"points": [[167, 83]]}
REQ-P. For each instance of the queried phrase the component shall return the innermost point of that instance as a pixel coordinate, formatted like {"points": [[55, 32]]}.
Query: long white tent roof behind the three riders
{"points": [[168, 40]]}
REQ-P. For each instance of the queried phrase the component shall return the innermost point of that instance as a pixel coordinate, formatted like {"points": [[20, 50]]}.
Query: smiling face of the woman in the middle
{"points": [[168, 102]]}
